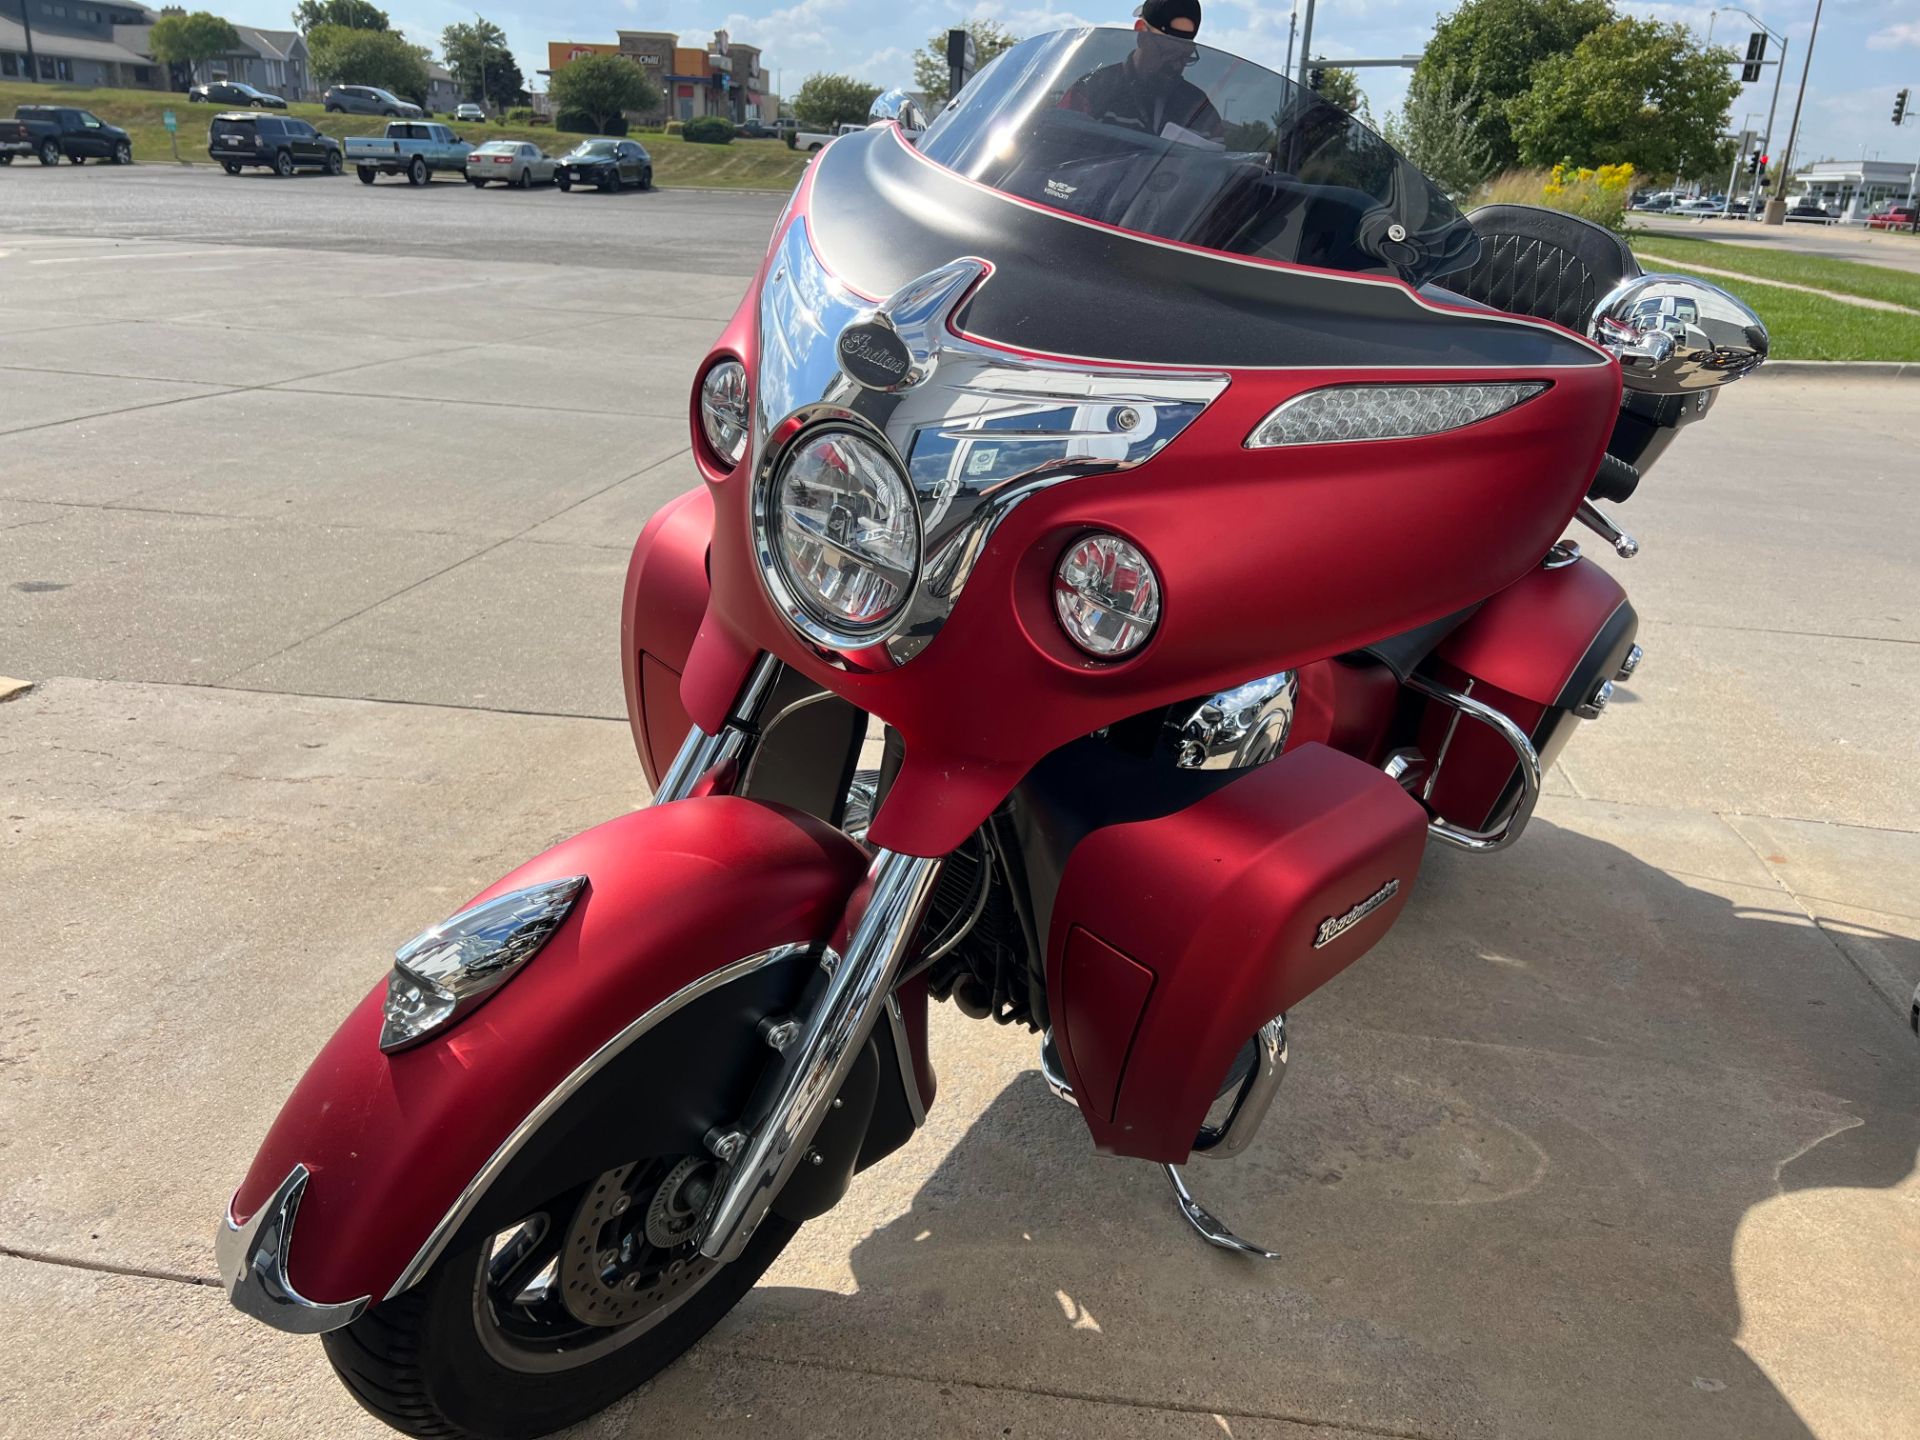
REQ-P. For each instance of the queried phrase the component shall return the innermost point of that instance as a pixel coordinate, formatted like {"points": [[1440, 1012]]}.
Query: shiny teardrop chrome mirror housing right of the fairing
{"points": [[1675, 335]]}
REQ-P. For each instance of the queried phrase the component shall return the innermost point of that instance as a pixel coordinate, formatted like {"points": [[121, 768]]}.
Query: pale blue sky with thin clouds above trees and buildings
{"points": [[1865, 53]]}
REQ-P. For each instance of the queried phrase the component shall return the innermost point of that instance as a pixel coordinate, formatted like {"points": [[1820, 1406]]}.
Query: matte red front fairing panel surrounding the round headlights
{"points": [[1268, 560]]}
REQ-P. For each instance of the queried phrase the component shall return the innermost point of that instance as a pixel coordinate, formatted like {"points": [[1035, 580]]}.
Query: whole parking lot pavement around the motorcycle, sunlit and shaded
{"points": [[314, 512]]}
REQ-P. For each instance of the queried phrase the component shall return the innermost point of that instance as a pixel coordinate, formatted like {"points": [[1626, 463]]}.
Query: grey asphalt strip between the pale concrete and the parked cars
{"points": [[702, 231]]}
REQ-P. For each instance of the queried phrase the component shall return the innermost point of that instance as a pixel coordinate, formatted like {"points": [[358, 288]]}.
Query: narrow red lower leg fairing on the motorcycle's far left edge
{"points": [[660, 615]]}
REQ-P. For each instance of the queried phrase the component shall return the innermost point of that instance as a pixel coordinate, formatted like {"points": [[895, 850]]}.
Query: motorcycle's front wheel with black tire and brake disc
{"points": [[585, 1299]]}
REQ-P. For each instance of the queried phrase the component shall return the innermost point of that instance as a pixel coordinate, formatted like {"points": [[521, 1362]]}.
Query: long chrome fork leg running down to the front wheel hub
{"points": [[813, 1072]]}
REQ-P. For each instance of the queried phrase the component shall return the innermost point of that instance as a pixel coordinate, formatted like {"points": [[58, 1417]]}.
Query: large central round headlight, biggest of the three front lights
{"points": [[846, 533]]}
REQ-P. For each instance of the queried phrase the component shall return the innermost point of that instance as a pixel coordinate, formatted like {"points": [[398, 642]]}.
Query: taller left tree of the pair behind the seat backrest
{"points": [[1487, 53]]}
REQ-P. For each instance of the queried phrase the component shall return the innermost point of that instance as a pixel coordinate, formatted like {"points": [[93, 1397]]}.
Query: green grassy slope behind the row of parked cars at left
{"points": [[740, 166]]}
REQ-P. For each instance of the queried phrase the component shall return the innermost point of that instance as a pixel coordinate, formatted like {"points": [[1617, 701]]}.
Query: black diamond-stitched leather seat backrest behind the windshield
{"points": [[1545, 264]]}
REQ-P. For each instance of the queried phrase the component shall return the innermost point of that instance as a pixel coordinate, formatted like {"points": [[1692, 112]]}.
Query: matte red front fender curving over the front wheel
{"points": [[393, 1140]]}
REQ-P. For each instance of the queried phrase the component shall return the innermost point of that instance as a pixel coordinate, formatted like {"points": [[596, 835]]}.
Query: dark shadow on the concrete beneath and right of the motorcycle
{"points": [[1508, 1178]]}
